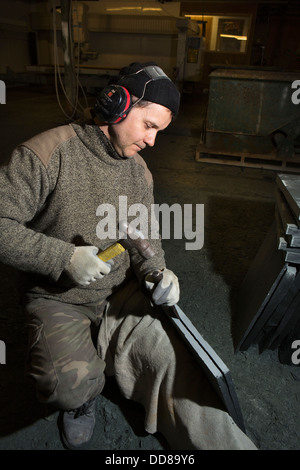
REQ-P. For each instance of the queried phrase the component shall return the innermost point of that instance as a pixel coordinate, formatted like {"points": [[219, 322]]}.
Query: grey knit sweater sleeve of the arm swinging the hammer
{"points": [[24, 187]]}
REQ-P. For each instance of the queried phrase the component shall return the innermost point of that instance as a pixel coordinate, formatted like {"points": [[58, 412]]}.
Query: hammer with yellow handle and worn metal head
{"points": [[134, 239]]}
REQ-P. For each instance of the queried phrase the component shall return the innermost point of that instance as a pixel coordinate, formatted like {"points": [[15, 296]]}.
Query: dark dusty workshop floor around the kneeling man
{"points": [[239, 209]]}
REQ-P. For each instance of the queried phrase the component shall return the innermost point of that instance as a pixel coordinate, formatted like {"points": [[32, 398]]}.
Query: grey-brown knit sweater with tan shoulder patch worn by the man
{"points": [[49, 194]]}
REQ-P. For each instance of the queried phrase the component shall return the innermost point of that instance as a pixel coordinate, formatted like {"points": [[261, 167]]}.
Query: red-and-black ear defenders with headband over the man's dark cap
{"points": [[114, 102]]}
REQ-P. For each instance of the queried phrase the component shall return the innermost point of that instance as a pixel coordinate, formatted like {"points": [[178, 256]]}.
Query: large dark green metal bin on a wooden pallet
{"points": [[251, 119]]}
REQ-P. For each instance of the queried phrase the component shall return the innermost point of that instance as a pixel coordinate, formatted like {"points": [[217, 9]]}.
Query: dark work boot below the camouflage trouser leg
{"points": [[78, 425]]}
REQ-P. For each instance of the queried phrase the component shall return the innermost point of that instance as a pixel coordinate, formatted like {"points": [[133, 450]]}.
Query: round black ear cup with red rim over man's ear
{"points": [[113, 104]]}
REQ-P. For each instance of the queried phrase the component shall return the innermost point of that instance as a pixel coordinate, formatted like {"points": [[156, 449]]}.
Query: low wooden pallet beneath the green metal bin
{"points": [[249, 160]]}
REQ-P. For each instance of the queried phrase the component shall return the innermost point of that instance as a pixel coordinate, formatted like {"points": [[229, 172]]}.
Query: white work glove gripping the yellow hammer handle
{"points": [[85, 266]]}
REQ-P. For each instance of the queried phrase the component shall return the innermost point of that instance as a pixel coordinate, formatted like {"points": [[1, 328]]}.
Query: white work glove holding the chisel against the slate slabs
{"points": [[166, 291]]}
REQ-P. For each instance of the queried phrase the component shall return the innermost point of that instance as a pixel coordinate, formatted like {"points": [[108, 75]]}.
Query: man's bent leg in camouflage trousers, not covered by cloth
{"points": [[62, 360]]}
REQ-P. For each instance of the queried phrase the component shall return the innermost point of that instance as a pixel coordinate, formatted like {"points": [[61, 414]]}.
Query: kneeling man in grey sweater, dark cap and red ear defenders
{"points": [[87, 318]]}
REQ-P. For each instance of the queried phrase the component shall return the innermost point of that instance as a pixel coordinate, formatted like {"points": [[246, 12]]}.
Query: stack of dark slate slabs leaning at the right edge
{"points": [[268, 307]]}
